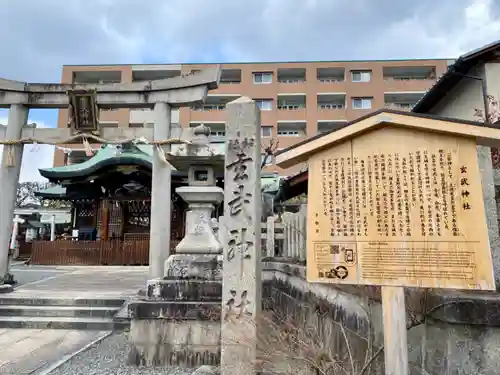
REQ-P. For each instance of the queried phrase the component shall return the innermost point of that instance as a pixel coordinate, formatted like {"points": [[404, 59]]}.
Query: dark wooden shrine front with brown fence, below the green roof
{"points": [[110, 232]]}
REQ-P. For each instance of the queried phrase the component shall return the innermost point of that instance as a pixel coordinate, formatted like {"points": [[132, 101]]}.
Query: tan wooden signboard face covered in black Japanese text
{"points": [[398, 207]]}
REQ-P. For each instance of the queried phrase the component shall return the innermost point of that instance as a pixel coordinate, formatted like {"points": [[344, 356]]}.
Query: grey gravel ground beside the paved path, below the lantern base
{"points": [[108, 358]]}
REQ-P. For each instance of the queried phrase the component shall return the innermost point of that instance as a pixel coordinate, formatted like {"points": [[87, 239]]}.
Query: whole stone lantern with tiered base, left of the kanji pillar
{"points": [[185, 305]]}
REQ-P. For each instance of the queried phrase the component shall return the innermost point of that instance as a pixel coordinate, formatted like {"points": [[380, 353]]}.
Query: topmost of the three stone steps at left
{"points": [[62, 301]]}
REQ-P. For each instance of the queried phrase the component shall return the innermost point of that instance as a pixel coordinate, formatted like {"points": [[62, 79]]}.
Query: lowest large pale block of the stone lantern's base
{"points": [[161, 342]]}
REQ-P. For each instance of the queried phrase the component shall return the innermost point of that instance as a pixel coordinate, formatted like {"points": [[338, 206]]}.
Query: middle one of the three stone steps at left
{"points": [[58, 311]]}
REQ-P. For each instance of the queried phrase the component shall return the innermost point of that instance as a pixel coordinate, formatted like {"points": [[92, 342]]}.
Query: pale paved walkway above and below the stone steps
{"points": [[28, 351]]}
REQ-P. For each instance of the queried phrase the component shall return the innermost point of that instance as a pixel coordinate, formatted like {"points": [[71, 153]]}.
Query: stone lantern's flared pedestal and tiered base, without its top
{"points": [[178, 323]]}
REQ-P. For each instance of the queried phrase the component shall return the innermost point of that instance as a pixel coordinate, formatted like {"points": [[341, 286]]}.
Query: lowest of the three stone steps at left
{"points": [[58, 322]]}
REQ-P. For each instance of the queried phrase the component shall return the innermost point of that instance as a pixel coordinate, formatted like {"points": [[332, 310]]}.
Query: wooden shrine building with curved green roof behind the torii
{"points": [[110, 198]]}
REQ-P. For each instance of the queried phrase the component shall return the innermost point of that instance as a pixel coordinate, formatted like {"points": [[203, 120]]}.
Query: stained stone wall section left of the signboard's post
{"points": [[337, 325]]}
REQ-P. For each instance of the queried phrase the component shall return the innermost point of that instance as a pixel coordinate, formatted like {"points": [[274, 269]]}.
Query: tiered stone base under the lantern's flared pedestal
{"points": [[178, 323]]}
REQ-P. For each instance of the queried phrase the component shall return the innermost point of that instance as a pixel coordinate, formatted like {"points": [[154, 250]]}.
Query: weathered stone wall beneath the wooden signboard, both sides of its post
{"points": [[460, 336]]}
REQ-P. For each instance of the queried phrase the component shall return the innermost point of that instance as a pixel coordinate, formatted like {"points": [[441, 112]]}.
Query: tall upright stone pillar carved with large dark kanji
{"points": [[241, 234]]}
